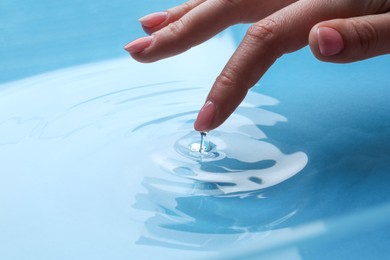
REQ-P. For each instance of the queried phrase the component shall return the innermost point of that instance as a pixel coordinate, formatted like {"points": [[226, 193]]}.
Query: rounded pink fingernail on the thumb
{"points": [[330, 41]]}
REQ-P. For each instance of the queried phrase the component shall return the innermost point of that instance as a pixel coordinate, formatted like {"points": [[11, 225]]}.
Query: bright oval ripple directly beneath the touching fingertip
{"points": [[232, 170]]}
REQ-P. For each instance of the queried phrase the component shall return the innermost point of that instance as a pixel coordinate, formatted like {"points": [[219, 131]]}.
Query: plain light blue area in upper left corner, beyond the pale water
{"points": [[39, 36]]}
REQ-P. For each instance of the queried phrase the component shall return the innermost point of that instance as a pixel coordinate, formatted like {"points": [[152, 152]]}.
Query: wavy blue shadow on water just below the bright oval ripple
{"points": [[208, 222]]}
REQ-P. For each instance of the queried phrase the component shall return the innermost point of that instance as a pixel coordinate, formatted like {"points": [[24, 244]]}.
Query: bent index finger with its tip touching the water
{"points": [[284, 31]]}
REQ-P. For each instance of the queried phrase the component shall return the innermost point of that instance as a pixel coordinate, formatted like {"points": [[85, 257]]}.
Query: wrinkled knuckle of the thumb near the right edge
{"points": [[366, 34]]}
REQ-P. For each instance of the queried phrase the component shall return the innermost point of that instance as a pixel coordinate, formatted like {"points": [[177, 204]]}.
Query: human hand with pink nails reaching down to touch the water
{"points": [[337, 31]]}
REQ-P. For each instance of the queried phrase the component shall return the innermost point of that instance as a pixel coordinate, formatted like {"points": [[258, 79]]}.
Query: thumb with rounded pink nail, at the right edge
{"points": [[351, 39]]}
